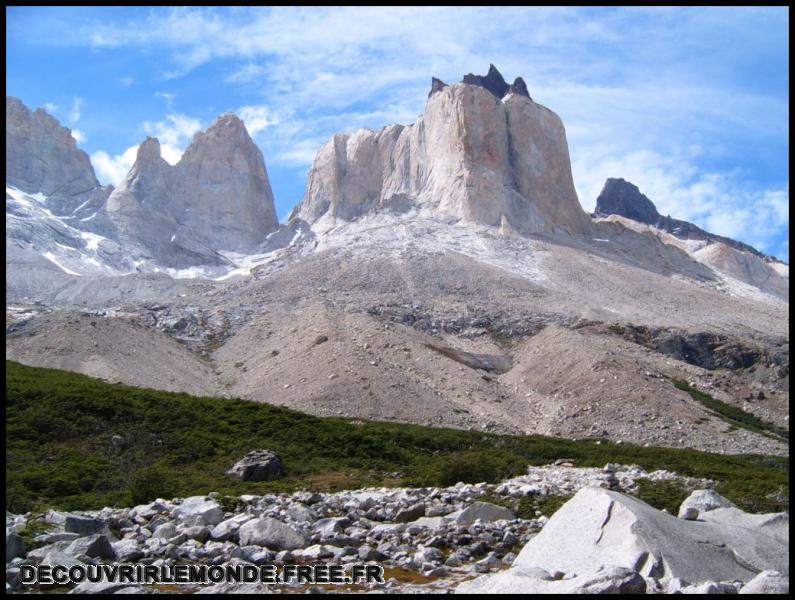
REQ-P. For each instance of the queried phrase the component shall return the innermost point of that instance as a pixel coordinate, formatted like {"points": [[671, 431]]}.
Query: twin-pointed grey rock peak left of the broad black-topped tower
{"points": [[216, 198]]}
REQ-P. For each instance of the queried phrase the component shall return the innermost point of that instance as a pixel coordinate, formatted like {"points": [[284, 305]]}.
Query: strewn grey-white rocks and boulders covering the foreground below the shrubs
{"points": [[438, 536]]}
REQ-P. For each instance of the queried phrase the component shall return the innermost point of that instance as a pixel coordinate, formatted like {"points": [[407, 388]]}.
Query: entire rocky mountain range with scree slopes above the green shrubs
{"points": [[442, 272]]}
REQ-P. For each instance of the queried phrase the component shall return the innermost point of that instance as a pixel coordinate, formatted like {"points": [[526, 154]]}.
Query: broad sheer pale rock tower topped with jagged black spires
{"points": [[476, 154]]}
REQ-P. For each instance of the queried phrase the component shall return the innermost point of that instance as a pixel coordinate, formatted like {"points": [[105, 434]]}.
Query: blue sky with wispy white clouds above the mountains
{"points": [[690, 104]]}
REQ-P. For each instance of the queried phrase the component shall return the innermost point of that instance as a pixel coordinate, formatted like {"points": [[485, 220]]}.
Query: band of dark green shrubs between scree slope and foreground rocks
{"points": [[60, 453]]}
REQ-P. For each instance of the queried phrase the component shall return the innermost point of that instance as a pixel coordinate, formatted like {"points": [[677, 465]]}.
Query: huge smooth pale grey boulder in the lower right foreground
{"points": [[599, 529]]}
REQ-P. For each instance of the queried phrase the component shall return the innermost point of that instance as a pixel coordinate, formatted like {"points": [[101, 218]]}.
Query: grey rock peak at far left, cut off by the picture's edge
{"points": [[42, 157]]}
